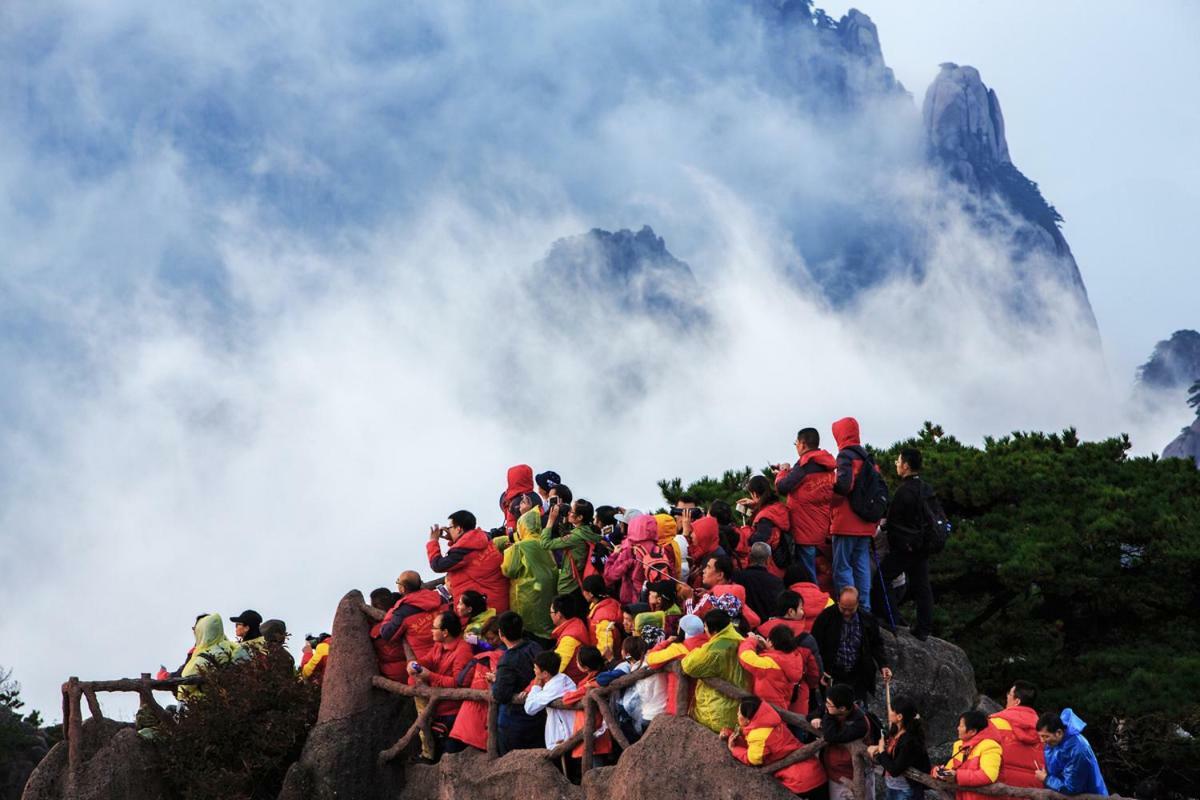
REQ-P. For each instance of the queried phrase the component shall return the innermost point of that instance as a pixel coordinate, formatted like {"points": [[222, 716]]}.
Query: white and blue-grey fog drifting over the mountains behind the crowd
{"points": [[267, 314]]}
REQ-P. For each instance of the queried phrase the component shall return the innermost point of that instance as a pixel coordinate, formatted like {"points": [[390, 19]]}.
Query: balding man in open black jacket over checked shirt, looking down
{"points": [[851, 648]]}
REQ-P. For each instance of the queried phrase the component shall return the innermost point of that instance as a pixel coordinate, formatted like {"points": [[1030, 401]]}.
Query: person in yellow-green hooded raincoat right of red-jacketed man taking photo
{"points": [[532, 574]]}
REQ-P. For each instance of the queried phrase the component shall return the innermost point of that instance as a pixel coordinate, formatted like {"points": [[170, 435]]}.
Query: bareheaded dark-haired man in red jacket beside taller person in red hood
{"points": [[809, 492]]}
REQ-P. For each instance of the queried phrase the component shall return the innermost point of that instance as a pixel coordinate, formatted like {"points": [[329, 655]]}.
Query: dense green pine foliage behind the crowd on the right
{"points": [[1078, 568]]}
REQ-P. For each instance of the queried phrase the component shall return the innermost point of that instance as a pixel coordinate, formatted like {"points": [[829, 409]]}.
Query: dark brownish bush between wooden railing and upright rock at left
{"points": [[238, 738]]}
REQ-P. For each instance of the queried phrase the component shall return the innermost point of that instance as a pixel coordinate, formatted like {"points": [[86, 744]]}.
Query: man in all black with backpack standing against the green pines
{"points": [[908, 550]]}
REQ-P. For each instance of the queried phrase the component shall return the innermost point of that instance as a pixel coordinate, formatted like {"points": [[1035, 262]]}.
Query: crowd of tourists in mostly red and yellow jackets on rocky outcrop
{"points": [[783, 596]]}
